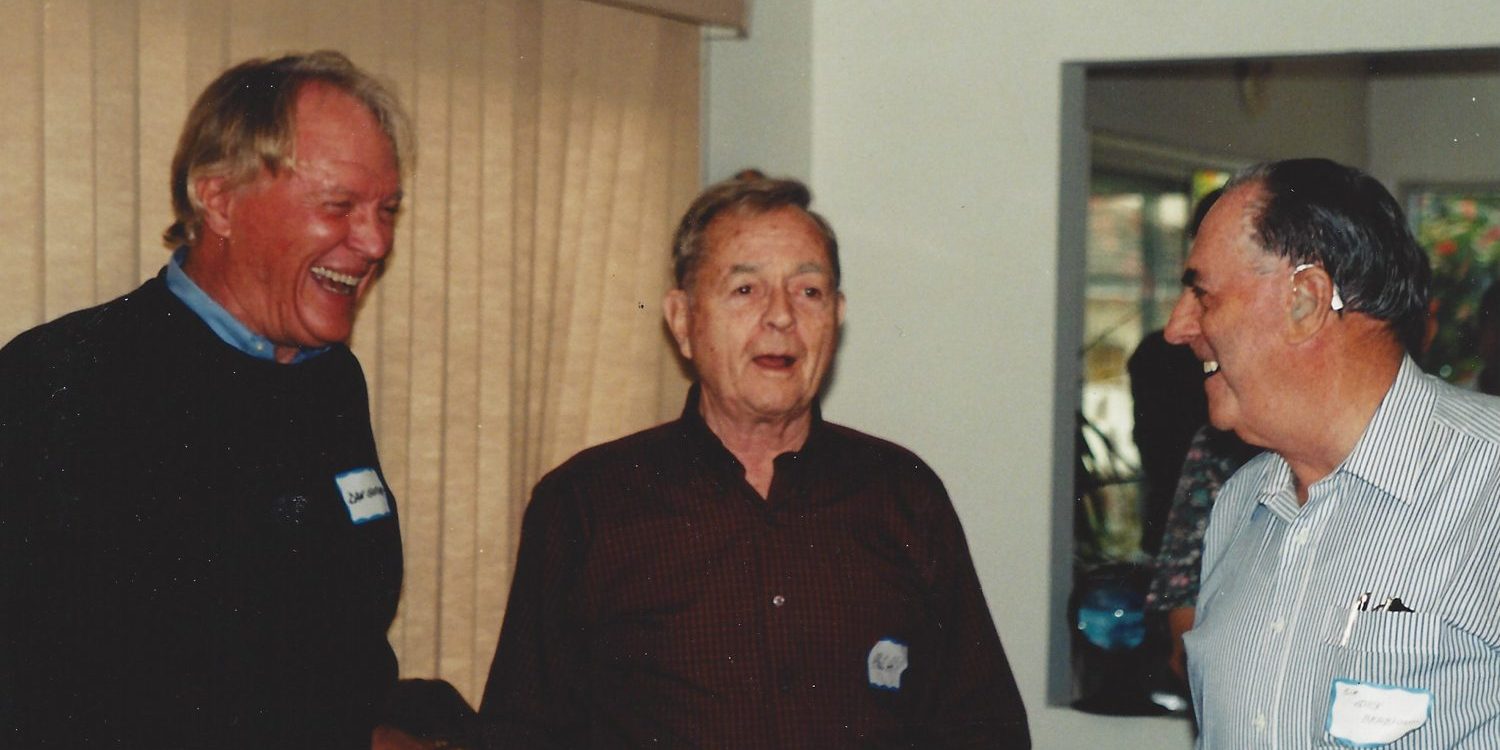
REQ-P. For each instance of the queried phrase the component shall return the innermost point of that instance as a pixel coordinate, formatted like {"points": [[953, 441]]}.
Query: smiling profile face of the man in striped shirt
{"points": [[1231, 314]]}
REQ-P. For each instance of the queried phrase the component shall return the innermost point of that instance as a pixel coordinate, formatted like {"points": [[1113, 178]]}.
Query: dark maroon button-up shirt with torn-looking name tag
{"points": [[661, 602]]}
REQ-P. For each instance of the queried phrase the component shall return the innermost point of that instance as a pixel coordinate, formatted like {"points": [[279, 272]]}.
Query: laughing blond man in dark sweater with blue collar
{"points": [[197, 545]]}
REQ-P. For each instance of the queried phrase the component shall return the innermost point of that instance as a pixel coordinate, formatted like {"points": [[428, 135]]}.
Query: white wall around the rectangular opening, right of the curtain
{"points": [[935, 139]]}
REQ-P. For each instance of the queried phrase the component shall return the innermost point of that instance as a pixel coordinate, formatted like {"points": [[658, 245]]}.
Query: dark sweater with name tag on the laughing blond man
{"points": [[179, 565]]}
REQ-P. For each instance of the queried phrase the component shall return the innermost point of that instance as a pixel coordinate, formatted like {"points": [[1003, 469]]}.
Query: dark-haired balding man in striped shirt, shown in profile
{"points": [[1351, 590]]}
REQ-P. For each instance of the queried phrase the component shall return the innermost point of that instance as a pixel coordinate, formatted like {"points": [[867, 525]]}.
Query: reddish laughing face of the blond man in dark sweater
{"points": [[302, 247]]}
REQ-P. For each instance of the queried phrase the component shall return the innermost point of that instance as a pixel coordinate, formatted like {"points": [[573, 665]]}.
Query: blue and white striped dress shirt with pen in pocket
{"points": [[1295, 617]]}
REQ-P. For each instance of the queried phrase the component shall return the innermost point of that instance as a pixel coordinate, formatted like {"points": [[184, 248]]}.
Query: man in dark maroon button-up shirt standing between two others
{"points": [[749, 575]]}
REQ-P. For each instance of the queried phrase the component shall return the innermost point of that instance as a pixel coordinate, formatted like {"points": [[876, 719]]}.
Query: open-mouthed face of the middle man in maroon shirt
{"points": [[761, 317]]}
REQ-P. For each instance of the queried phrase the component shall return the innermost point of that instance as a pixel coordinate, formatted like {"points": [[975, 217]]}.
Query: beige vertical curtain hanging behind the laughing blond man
{"points": [[518, 322]]}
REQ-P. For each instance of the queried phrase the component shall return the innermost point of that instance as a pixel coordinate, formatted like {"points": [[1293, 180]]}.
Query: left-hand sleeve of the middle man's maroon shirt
{"points": [[535, 695]]}
